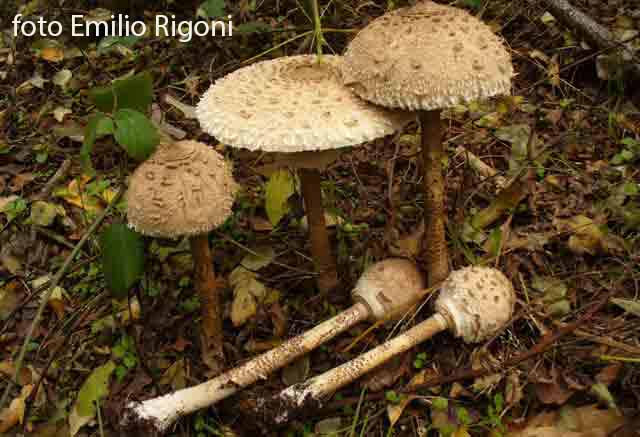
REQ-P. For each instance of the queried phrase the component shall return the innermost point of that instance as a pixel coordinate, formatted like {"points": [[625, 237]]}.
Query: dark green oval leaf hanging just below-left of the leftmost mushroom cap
{"points": [[122, 258]]}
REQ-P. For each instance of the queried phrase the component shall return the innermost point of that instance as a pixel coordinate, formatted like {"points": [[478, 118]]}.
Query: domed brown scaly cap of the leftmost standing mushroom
{"points": [[183, 188]]}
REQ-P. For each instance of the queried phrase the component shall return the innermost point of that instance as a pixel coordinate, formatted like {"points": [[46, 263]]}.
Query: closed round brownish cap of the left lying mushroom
{"points": [[390, 287]]}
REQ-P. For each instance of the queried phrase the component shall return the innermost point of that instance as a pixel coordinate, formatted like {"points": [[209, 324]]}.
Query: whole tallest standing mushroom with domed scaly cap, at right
{"points": [[426, 58]]}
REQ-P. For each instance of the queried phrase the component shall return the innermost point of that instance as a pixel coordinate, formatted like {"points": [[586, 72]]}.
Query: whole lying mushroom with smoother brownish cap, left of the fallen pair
{"points": [[386, 290]]}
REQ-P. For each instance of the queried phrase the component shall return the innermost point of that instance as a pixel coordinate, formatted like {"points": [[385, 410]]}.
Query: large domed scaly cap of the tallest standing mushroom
{"points": [[425, 57]]}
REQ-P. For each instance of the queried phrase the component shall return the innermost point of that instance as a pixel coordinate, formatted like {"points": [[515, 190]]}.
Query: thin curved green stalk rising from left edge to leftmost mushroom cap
{"points": [[54, 283]]}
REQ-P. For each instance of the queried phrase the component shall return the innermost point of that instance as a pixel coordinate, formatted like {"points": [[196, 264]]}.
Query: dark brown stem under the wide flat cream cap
{"points": [[320, 247]]}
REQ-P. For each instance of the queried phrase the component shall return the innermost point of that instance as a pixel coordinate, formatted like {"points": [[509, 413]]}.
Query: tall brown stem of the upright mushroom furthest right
{"points": [[437, 258]]}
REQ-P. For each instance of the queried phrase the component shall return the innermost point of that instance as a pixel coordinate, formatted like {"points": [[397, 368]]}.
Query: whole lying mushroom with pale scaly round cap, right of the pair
{"points": [[474, 303]]}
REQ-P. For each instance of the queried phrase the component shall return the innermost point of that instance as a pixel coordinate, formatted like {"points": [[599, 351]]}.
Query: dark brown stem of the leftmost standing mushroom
{"points": [[208, 290]]}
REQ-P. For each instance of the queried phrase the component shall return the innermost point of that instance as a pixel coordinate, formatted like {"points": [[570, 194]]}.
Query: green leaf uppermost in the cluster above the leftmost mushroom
{"points": [[133, 92]]}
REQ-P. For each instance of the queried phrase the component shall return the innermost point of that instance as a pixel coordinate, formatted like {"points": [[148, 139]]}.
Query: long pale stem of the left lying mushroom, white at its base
{"points": [[156, 415]]}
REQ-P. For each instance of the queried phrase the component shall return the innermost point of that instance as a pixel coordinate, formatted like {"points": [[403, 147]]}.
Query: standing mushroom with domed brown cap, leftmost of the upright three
{"points": [[187, 189]]}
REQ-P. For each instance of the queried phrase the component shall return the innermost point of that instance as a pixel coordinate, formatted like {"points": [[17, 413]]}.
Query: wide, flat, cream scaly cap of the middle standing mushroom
{"points": [[292, 104]]}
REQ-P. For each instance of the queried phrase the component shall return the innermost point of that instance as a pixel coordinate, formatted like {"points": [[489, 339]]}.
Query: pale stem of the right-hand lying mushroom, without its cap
{"points": [[311, 393]]}
